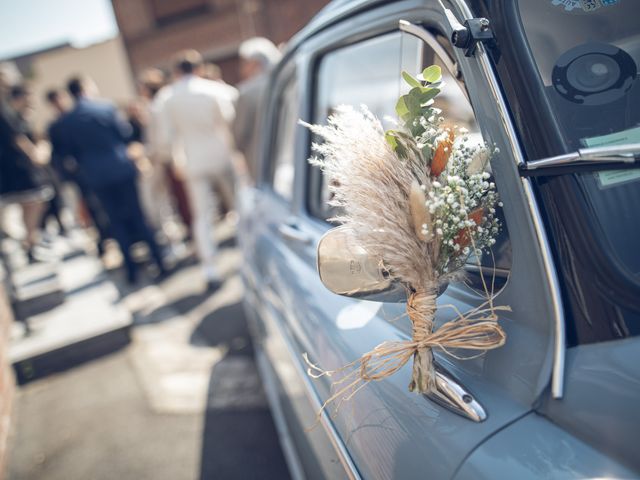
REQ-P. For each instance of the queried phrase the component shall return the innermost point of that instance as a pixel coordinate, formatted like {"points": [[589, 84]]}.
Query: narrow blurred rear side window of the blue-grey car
{"points": [[282, 158]]}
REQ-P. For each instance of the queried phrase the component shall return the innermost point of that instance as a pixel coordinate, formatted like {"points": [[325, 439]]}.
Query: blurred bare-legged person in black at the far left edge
{"points": [[21, 179]]}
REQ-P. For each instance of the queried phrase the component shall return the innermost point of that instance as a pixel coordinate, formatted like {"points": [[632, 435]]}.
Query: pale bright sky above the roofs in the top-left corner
{"points": [[28, 25]]}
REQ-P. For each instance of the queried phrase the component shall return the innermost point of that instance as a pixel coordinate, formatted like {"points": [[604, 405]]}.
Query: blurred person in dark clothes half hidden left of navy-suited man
{"points": [[67, 170]]}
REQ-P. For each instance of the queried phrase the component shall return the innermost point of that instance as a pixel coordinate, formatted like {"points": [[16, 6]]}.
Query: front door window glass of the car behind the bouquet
{"points": [[368, 73]]}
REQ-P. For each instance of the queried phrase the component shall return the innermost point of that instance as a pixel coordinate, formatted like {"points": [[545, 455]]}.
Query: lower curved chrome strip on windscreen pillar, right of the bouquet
{"points": [[557, 378]]}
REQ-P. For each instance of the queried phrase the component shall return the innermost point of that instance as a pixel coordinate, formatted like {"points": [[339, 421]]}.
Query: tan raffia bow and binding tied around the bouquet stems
{"points": [[476, 330]]}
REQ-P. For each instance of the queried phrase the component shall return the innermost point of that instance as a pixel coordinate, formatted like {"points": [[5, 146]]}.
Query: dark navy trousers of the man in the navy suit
{"points": [[127, 224]]}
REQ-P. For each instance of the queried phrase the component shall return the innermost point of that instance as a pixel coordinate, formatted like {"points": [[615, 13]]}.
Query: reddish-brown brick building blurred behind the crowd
{"points": [[154, 30]]}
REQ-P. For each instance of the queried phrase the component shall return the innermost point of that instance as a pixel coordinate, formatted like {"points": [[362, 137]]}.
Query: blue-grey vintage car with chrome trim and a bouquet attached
{"points": [[554, 85]]}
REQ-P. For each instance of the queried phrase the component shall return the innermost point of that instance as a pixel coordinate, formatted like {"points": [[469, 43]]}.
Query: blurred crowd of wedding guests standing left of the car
{"points": [[160, 171]]}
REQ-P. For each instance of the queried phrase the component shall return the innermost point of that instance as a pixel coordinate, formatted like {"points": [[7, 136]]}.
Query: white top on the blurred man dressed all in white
{"points": [[198, 113]]}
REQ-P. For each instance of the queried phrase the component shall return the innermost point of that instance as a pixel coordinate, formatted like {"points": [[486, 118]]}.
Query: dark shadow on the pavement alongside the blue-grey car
{"points": [[239, 437]]}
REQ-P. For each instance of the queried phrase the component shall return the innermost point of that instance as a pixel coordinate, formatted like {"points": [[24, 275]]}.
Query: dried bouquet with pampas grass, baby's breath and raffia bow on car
{"points": [[418, 199]]}
